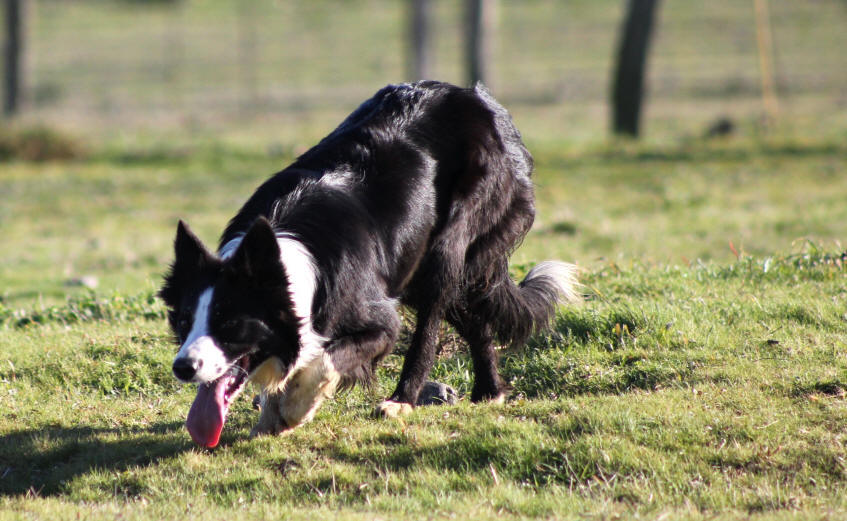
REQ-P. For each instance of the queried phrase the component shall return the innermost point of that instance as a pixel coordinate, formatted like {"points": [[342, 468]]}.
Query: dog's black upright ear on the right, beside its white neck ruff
{"points": [[258, 257]]}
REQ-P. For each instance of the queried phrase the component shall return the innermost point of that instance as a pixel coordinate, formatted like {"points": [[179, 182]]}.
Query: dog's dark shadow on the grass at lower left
{"points": [[43, 461]]}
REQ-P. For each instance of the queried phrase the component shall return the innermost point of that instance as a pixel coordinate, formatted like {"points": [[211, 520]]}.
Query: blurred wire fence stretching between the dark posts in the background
{"points": [[149, 63]]}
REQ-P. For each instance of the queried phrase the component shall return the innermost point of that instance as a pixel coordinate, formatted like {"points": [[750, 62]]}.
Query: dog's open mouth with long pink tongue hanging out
{"points": [[208, 412]]}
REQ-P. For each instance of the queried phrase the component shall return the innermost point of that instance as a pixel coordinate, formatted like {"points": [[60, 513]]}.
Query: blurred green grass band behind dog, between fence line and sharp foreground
{"points": [[113, 215]]}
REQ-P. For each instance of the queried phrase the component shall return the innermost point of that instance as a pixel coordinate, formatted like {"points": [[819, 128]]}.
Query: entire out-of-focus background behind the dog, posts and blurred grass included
{"points": [[123, 116]]}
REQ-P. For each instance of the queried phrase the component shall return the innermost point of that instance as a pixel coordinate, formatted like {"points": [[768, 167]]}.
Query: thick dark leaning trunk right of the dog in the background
{"points": [[634, 46]]}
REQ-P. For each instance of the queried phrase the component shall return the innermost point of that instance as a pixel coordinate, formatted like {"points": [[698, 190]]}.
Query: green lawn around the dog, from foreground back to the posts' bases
{"points": [[704, 375]]}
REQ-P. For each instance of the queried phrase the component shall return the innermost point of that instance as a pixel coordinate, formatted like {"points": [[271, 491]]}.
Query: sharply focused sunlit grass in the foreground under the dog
{"points": [[684, 390]]}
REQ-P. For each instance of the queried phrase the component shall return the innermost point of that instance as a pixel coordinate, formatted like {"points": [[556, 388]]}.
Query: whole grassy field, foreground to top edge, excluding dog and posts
{"points": [[704, 376]]}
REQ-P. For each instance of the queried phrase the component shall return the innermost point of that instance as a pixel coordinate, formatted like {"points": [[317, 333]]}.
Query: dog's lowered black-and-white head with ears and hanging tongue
{"points": [[230, 314]]}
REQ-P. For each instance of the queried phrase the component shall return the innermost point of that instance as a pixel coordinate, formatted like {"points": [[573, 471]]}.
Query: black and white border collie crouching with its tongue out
{"points": [[417, 198]]}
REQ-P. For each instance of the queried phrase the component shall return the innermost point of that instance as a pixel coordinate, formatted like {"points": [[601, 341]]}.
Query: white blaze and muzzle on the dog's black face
{"points": [[199, 348]]}
